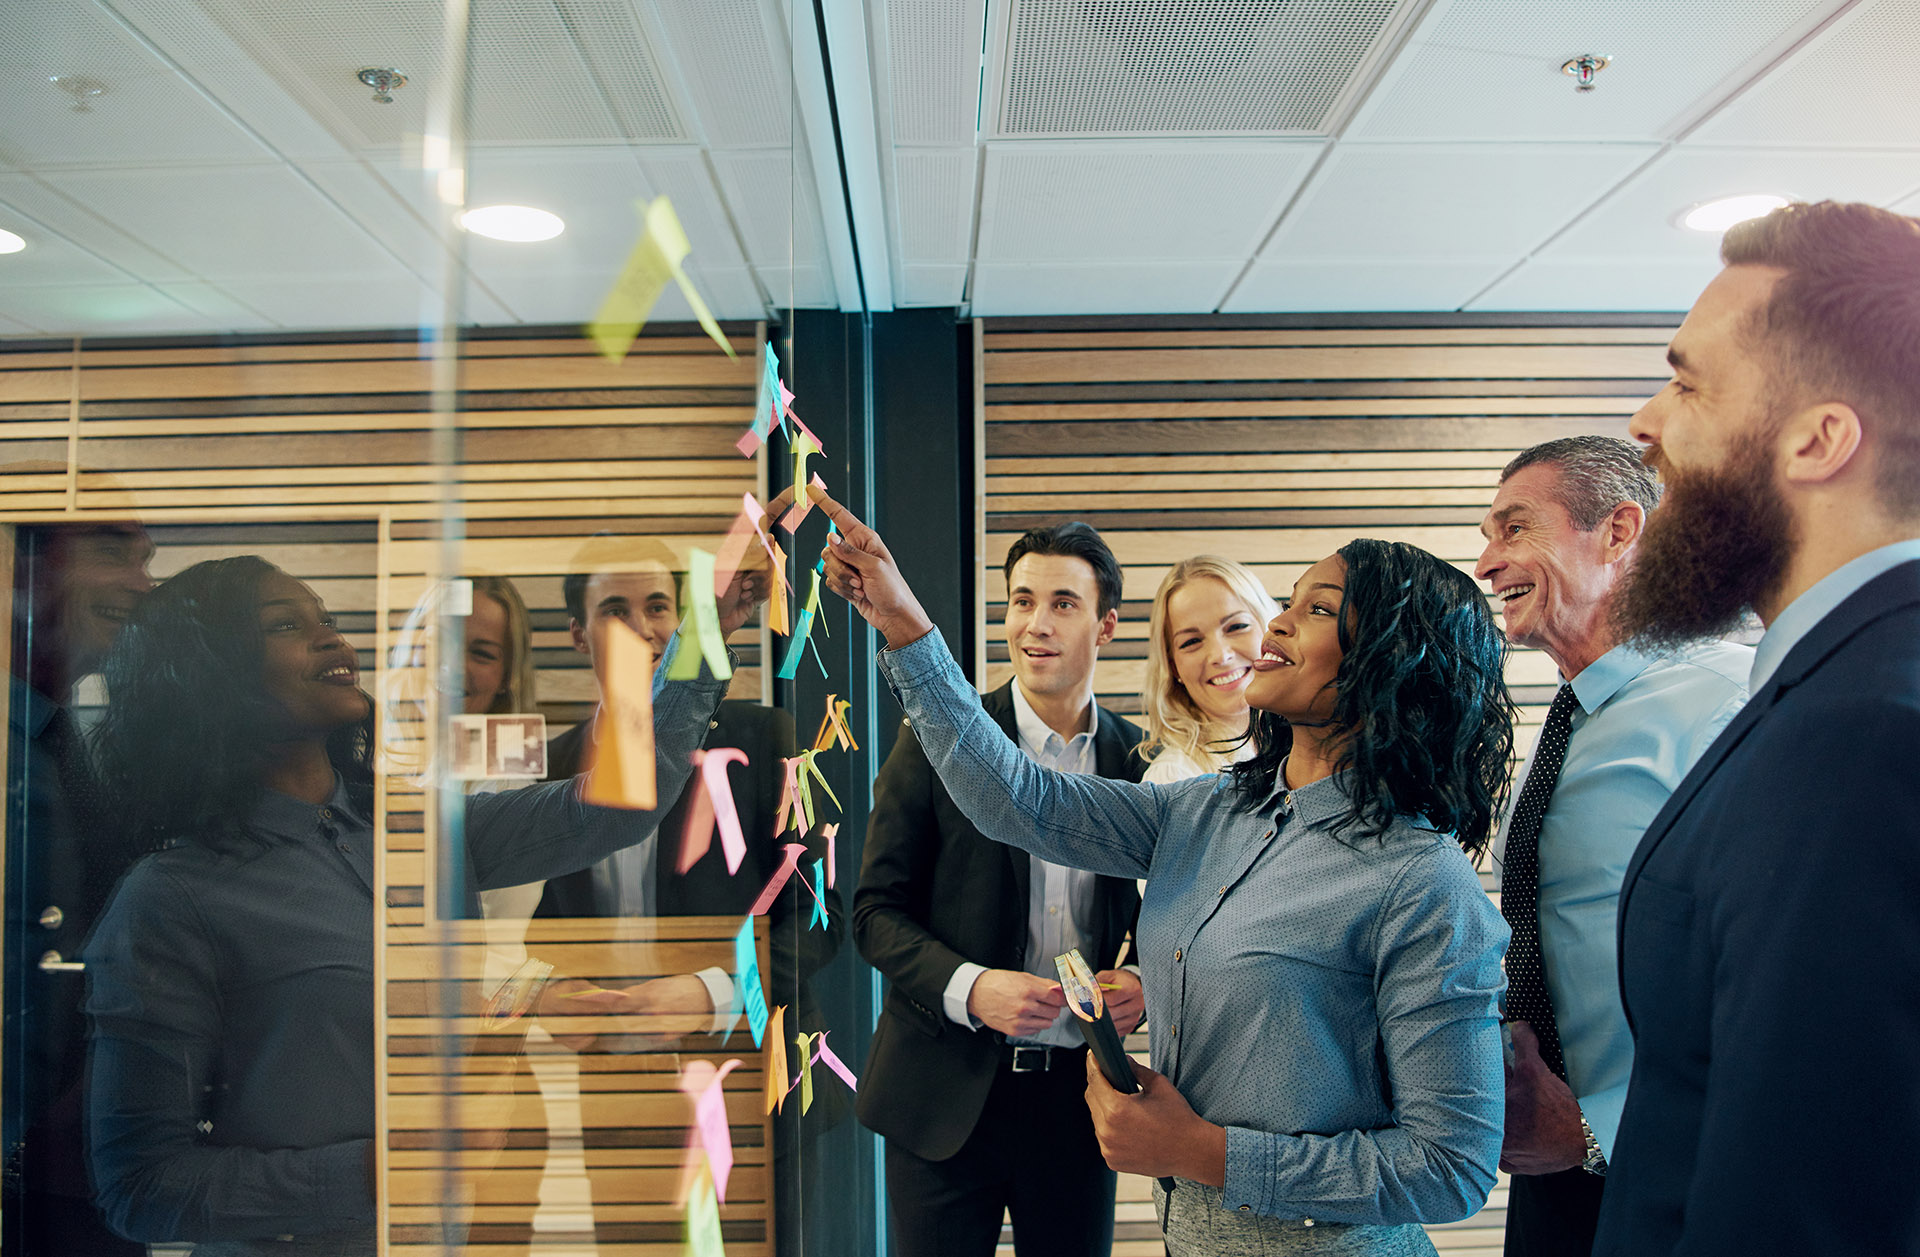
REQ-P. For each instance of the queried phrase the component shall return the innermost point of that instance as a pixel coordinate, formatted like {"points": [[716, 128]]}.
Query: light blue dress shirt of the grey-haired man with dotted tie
{"points": [[1639, 728]]}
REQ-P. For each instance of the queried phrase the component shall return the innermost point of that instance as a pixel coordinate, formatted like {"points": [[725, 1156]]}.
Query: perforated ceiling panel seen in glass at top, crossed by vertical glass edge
{"points": [[546, 72]]}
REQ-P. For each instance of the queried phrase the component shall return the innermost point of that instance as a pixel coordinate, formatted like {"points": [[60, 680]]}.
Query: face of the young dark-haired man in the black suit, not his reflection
{"points": [[1053, 625]]}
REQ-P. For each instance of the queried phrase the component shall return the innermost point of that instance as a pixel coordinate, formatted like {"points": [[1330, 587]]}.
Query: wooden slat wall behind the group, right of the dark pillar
{"points": [[1274, 442]]}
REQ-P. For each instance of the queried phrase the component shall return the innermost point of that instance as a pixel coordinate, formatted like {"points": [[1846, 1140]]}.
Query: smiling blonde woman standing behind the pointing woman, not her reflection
{"points": [[1207, 625]]}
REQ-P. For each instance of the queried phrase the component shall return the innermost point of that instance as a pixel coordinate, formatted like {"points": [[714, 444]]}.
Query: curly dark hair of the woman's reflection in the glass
{"points": [[183, 749]]}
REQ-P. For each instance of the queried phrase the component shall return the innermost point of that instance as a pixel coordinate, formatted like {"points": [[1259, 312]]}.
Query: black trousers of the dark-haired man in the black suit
{"points": [[1034, 1154]]}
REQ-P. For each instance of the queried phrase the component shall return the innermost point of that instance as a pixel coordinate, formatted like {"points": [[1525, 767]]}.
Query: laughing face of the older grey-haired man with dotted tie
{"points": [[1550, 579]]}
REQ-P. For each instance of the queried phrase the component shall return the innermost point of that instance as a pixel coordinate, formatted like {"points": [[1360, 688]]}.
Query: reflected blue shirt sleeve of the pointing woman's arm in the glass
{"points": [[548, 830]]}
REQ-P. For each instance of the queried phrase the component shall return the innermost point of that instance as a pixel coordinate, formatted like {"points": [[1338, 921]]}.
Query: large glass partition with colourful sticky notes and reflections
{"points": [[372, 884]]}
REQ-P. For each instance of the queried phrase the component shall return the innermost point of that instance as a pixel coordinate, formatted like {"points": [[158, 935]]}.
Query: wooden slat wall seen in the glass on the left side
{"points": [[318, 454]]}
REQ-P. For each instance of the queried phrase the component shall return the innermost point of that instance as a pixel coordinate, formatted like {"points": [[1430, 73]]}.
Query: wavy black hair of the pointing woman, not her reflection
{"points": [[1422, 690]]}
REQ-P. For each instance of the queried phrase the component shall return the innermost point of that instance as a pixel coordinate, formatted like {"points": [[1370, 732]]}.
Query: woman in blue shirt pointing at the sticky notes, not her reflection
{"points": [[1320, 961]]}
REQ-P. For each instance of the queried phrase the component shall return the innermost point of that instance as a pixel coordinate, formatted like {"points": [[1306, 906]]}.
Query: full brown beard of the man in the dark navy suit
{"points": [[1717, 548]]}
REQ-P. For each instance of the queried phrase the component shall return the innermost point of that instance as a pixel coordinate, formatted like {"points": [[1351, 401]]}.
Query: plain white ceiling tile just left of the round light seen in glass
{"points": [[229, 222]]}
